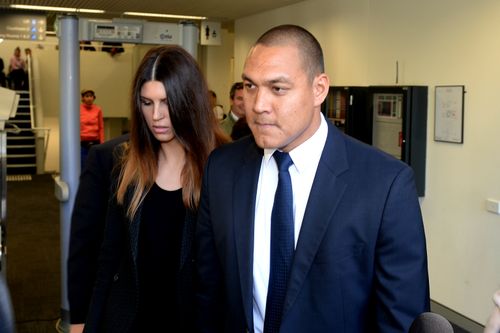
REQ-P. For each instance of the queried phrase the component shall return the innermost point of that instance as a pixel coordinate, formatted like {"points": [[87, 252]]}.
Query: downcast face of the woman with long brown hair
{"points": [[155, 110]]}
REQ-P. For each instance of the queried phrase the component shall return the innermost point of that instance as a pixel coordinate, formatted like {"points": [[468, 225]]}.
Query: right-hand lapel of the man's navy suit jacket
{"points": [[318, 214]]}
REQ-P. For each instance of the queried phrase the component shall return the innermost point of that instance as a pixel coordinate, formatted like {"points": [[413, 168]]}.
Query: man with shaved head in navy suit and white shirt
{"points": [[359, 263]]}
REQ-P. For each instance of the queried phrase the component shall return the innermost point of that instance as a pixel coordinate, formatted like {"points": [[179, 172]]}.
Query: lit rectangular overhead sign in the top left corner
{"points": [[26, 27]]}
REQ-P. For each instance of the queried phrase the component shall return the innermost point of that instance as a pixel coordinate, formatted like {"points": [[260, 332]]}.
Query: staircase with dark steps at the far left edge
{"points": [[21, 140]]}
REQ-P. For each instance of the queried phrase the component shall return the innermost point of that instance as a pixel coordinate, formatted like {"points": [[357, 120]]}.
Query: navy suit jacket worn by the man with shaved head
{"points": [[360, 262]]}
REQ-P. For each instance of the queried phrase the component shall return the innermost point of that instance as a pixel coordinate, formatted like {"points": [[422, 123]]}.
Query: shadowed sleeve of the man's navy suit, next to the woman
{"points": [[209, 278]]}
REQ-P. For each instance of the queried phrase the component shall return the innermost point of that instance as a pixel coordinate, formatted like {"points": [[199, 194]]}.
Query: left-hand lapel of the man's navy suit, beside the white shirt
{"points": [[244, 191]]}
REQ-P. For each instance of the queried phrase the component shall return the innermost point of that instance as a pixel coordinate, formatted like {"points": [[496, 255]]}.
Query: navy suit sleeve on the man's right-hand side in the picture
{"points": [[401, 276]]}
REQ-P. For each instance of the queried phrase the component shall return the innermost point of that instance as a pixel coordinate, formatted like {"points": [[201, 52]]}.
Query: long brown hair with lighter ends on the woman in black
{"points": [[193, 121]]}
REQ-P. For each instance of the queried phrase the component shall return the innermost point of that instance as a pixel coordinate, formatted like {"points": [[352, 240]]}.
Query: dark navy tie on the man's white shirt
{"points": [[282, 244]]}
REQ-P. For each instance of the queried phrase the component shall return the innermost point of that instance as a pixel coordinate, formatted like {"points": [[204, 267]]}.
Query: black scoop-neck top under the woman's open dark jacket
{"points": [[160, 236]]}
